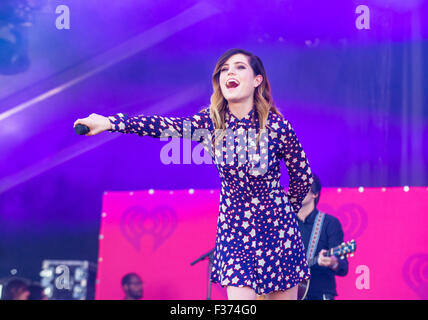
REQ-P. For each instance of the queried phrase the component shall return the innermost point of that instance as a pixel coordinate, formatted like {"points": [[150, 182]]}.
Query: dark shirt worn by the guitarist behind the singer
{"points": [[323, 278]]}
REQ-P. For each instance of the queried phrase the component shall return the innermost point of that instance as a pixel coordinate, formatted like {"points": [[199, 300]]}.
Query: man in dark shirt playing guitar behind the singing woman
{"points": [[322, 285]]}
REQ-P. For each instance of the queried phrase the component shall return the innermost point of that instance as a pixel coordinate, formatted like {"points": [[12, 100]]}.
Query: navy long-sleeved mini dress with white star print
{"points": [[258, 243]]}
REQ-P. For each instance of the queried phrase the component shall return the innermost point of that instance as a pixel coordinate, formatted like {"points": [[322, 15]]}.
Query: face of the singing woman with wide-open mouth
{"points": [[237, 79]]}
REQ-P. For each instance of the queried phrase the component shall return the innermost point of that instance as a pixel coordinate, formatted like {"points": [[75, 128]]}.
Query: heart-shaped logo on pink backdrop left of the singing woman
{"points": [[137, 222]]}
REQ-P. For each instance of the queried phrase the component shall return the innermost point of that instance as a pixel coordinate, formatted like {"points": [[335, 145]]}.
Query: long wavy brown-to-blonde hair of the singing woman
{"points": [[262, 93]]}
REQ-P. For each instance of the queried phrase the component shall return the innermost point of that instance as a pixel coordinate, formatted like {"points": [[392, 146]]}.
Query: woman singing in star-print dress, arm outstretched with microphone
{"points": [[258, 245]]}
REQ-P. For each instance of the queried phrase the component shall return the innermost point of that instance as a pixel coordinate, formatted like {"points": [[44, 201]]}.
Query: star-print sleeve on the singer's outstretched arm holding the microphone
{"points": [[159, 126]]}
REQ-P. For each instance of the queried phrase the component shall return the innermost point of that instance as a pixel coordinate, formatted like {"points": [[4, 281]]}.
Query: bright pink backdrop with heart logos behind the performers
{"points": [[157, 234]]}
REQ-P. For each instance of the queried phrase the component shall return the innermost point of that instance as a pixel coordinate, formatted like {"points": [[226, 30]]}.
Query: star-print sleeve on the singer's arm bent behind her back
{"points": [[297, 165]]}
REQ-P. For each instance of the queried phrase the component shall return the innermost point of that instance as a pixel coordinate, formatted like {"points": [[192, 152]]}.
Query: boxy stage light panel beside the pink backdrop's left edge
{"points": [[68, 279]]}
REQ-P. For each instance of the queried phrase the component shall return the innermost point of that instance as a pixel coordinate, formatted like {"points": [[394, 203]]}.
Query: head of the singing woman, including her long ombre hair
{"points": [[240, 76]]}
